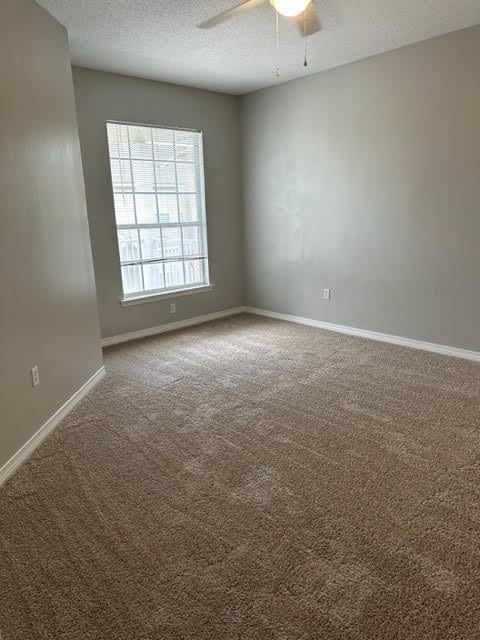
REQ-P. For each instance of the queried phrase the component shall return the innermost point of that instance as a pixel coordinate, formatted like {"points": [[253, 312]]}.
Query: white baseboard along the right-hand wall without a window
{"points": [[445, 350]]}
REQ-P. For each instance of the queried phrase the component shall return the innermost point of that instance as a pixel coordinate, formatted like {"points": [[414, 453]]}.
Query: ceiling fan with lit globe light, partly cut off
{"points": [[303, 11]]}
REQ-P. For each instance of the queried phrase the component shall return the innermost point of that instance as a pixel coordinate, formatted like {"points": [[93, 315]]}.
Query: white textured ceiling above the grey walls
{"points": [[158, 39]]}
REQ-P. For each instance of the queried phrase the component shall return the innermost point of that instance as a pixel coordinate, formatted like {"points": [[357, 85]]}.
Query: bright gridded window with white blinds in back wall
{"points": [[158, 191]]}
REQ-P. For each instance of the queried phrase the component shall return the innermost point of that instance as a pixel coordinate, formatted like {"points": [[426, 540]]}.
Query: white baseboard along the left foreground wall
{"points": [[29, 447]]}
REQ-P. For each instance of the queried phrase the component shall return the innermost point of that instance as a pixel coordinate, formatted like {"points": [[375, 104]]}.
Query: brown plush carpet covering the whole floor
{"points": [[252, 479]]}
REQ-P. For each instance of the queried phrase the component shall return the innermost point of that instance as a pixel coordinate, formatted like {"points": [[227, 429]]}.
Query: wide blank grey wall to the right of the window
{"points": [[366, 180]]}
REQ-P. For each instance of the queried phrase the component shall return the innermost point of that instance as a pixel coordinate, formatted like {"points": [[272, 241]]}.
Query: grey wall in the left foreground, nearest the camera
{"points": [[48, 312]]}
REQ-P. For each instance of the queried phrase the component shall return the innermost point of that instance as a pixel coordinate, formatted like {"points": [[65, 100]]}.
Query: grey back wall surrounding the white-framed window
{"points": [[103, 96]]}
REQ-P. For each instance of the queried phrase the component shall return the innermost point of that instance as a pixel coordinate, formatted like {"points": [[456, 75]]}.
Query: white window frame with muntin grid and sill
{"points": [[151, 295]]}
